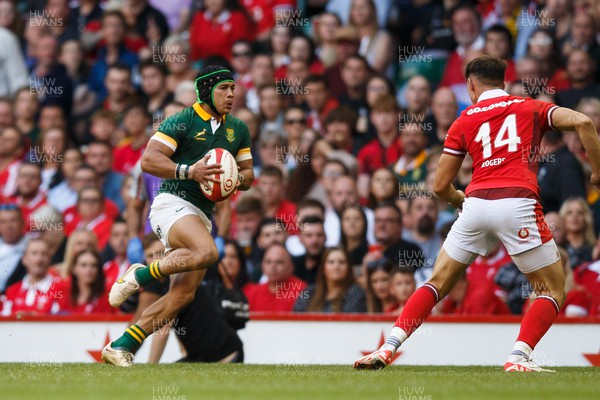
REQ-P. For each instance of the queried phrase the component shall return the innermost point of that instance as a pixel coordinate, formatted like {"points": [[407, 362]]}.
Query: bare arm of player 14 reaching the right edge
{"points": [[566, 119]]}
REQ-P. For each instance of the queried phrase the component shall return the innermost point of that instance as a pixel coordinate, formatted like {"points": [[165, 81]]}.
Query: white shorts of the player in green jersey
{"points": [[167, 209]]}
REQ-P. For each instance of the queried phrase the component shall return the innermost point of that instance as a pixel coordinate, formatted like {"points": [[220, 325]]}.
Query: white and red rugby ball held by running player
{"points": [[220, 191]]}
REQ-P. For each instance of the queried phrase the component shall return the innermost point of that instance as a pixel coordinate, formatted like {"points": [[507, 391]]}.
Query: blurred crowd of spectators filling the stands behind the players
{"points": [[348, 103]]}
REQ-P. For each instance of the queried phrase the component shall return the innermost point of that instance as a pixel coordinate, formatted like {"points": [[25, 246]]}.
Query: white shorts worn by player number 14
{"points": [[517, 222]]}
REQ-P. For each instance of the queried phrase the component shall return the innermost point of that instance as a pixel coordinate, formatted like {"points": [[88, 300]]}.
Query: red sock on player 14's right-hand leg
{"points": [[538, 320]]}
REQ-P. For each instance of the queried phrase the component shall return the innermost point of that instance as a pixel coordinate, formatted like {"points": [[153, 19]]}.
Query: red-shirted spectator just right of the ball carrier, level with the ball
{"points": [[270, 184]]}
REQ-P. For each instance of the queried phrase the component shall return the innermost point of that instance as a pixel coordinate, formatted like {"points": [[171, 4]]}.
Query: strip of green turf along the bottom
{"points": [[224, 382]]}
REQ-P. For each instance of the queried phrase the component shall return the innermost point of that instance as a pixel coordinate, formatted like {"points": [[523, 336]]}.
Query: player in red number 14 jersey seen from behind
{"points": [[502, 134]]}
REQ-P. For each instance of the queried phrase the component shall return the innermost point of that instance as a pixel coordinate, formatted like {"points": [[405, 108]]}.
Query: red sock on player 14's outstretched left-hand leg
{"points": [[417, 308]]}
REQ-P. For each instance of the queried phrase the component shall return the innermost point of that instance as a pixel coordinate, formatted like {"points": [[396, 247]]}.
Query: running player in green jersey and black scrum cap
{"points": [[180, 213]]}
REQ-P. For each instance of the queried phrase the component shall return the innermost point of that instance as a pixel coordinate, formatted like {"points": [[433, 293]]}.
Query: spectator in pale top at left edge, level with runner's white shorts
{"points": [[12, 245]]}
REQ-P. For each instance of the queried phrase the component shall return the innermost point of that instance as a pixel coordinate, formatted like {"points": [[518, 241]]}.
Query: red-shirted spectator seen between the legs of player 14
{"points": [[467, 299]]}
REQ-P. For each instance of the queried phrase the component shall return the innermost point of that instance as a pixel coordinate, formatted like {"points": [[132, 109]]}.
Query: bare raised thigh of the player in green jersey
{"points": [[190, 232]]}
